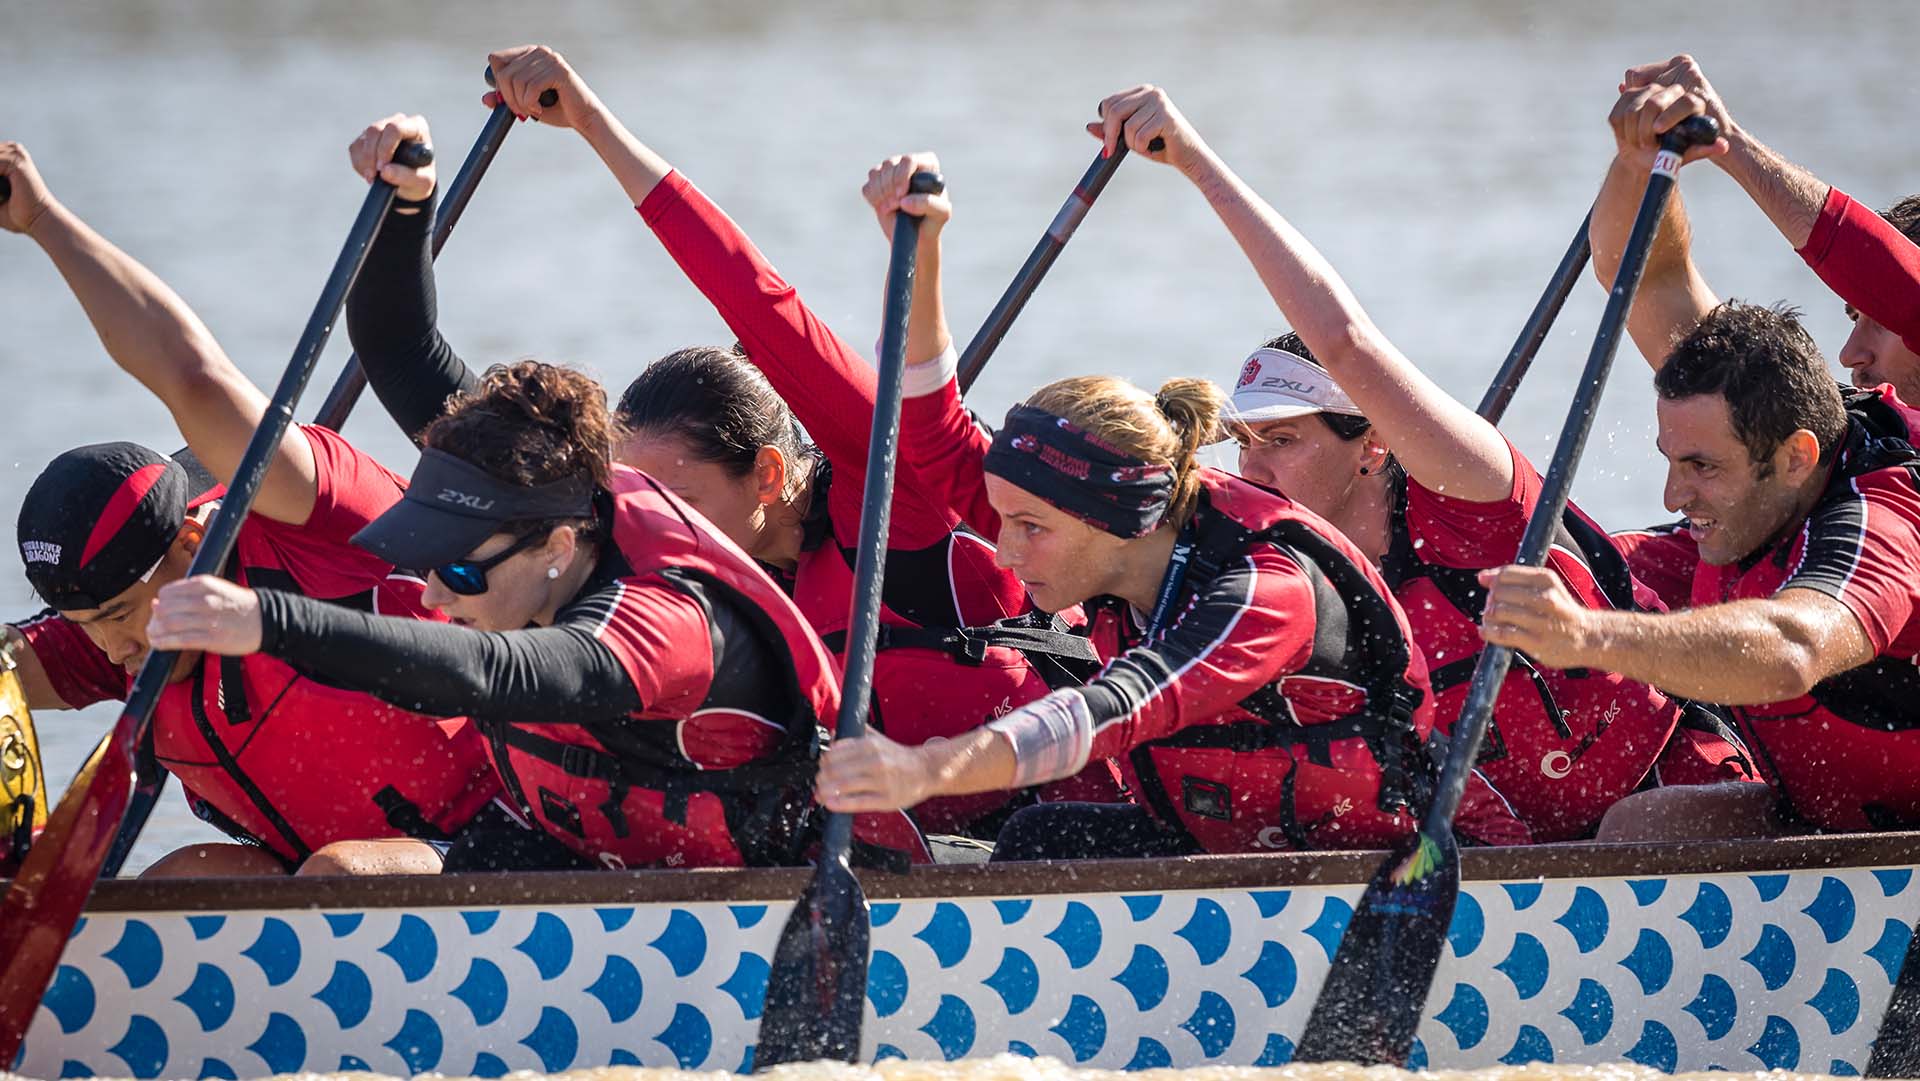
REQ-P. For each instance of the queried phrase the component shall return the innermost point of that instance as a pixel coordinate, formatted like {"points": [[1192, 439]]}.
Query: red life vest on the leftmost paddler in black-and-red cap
{"points": [[283, 761]]}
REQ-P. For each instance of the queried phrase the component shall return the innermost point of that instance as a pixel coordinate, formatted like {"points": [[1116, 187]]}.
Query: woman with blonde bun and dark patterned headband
{"points": [[1260, 690]]}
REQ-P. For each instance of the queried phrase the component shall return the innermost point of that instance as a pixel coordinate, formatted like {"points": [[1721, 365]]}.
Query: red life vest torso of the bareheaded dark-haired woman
{"points": [[940, 683]]}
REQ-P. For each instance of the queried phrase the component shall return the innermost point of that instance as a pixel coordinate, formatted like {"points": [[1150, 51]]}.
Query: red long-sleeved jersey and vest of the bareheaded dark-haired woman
{"points": [[940, 577]]}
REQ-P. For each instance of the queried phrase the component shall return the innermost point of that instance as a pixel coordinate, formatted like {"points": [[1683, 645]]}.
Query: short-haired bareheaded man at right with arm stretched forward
{"points": [[1804, 508]]}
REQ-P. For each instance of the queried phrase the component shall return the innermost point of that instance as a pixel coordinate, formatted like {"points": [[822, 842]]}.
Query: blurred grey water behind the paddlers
{"points": [[1441, 156]]}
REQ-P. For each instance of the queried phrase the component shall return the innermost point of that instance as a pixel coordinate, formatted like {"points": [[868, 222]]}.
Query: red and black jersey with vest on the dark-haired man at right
{"points": [[1844, 757]]}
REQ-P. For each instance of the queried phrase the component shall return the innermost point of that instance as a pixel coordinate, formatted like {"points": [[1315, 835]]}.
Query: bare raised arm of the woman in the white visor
{"points": [[1441, 443]]}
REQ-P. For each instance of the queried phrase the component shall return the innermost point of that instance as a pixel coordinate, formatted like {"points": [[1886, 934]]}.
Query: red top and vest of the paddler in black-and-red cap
{"points": [[287, 761]]}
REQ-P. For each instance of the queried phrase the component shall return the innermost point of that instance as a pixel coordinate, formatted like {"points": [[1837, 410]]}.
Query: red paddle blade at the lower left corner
{"points": [[47, 900]]}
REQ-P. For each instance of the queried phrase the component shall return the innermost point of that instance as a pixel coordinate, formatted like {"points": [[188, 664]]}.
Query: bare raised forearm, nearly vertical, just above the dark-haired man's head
{"points": [[1673, 295]]}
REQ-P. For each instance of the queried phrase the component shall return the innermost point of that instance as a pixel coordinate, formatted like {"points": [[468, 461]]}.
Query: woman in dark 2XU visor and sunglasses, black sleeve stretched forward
{"points": [[579, 596]]}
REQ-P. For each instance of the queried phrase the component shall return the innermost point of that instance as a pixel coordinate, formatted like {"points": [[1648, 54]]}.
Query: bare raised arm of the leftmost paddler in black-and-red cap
{"points": [[156, 339]]}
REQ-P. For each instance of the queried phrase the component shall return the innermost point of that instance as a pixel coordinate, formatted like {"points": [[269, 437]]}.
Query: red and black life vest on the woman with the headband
{"points": [[1259, 777]]}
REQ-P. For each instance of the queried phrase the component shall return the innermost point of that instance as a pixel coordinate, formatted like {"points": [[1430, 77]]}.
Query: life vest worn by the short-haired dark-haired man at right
{"points": [[1842, 757]]}
